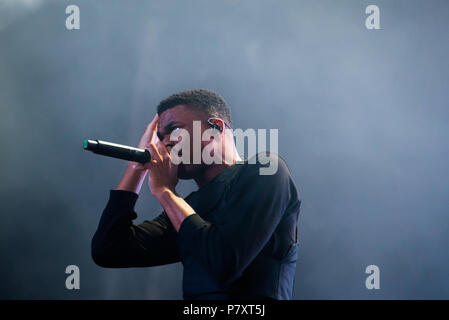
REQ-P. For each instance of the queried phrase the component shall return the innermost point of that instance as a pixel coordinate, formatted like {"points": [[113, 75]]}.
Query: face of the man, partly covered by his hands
{"points": [[182, 117]]}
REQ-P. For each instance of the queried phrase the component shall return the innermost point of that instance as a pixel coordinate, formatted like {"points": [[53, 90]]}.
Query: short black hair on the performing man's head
{"points": [[207, 101]]}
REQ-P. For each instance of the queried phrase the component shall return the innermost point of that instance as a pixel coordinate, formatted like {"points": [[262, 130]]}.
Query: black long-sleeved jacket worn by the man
{"points": [[242, 242]]}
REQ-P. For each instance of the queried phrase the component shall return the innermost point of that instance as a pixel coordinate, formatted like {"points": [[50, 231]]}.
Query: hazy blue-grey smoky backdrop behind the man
{"points": [[362, 118]]}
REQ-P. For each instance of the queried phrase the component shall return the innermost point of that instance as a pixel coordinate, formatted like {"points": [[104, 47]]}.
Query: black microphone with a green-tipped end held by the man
{"points": [[118, 151]]}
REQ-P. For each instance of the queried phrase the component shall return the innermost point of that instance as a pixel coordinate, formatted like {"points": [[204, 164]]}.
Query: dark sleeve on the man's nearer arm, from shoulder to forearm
{"points": [[252, 212]]}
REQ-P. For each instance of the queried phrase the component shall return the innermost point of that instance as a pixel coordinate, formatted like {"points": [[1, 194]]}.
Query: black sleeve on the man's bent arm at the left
{"points": [[118, 243]]}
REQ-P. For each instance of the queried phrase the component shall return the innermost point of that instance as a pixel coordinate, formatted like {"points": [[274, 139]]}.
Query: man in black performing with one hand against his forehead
{"points": [[236, 235]]}
